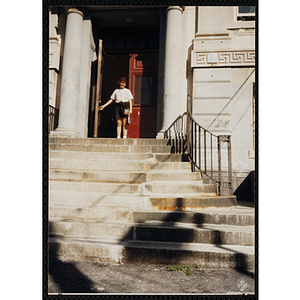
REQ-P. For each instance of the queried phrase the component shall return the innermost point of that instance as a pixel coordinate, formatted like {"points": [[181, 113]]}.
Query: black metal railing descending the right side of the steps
{"points": [[205, 150]]}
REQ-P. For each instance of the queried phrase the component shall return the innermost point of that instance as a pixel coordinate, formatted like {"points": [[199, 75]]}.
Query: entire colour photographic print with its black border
{"points": [[151, 148]]}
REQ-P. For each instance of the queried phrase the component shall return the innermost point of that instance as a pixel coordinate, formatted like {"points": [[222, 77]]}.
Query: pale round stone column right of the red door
{"points": [[173, 67]]}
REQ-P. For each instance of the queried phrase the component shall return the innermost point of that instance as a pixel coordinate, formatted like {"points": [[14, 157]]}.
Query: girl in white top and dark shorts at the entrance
{"points": [[123, 98]]}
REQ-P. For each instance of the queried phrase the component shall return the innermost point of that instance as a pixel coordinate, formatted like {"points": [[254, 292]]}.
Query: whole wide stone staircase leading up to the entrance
{"points": [[135, 200]]}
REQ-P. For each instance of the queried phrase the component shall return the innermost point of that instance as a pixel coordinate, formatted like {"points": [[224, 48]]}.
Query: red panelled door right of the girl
{"points": [[143, 85]]}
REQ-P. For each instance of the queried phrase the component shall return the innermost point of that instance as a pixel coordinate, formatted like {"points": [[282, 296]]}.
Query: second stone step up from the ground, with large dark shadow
{"points": [[174, 232]]}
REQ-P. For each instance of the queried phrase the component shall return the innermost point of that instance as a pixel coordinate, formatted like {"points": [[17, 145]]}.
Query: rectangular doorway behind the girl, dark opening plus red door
{"points": [[141, 71]]}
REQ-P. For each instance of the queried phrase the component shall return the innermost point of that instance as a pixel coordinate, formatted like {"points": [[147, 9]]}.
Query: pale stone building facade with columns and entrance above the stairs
{"points": [[167, 53]]}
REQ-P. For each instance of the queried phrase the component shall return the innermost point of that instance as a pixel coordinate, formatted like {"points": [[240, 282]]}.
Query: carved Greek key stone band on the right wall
{"points": [[232, 58]]}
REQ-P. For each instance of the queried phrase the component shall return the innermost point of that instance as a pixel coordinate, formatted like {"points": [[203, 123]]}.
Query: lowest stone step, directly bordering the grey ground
{"points": [[117, 251]]}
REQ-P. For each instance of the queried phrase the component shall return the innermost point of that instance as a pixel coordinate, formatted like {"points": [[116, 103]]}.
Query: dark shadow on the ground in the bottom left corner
{"points": [[65, 274]]}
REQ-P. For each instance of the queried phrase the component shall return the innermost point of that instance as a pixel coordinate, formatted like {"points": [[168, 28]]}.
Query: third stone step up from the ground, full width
{"points": [[220, 216]]}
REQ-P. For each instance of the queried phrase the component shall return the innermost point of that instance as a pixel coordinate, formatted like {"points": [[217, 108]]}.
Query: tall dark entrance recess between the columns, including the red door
{"points": [[126, 33]]}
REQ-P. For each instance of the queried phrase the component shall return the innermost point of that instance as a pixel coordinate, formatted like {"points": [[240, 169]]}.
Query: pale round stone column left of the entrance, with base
{"points": [[70, 84]]}
